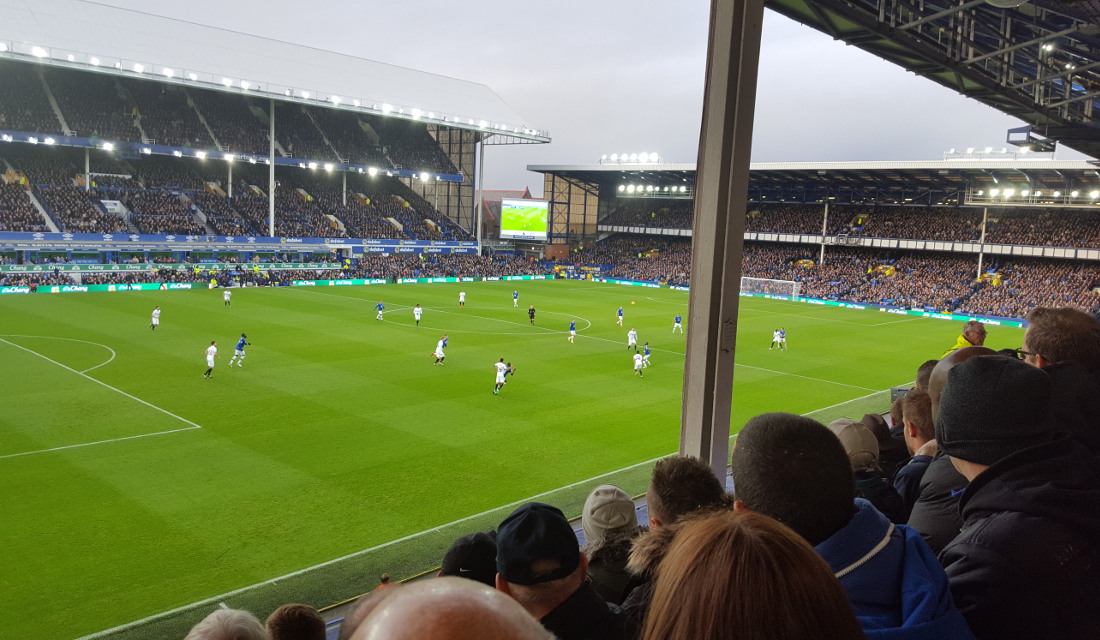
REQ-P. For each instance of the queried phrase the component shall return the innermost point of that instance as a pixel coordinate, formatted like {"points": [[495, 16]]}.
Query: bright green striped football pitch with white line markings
{"points": [[134, 488]]}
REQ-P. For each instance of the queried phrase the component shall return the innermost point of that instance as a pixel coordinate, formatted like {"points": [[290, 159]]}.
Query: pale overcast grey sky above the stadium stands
{"points": [[611, 76]]}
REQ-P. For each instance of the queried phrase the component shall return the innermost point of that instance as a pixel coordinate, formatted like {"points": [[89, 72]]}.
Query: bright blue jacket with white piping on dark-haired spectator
{"points": [[896, 584]]}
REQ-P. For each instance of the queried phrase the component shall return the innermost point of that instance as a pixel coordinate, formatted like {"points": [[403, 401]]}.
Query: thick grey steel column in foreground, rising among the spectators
{"points": [[719, 231]]}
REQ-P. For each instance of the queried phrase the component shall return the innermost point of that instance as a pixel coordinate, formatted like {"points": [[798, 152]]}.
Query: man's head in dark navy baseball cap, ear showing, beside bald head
{"points": [[538, 560]]}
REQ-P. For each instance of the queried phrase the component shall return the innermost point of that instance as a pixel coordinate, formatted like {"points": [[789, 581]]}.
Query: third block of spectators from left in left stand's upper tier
{"points": [[167, 117]]}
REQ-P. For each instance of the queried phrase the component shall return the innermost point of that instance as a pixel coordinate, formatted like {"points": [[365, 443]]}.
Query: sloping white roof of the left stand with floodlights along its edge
{"points": [[87, 36]]}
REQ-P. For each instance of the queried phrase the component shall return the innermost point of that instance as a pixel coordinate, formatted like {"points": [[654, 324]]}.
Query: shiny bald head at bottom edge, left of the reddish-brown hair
{"points": [[449, 609]]}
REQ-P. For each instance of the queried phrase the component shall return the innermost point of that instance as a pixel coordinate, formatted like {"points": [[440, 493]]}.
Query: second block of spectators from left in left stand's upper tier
{"points": [[93, 105]]}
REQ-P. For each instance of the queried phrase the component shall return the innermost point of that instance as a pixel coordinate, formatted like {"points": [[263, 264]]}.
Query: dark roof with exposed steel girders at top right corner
{"points": [[1038, 61]]}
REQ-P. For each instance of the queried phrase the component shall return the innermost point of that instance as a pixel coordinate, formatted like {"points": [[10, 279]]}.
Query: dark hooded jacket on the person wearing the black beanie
{"points": [[1027, 564]]}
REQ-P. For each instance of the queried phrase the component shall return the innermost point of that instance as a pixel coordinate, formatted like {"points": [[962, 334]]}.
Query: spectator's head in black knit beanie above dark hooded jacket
{"points": [[992, 409]]}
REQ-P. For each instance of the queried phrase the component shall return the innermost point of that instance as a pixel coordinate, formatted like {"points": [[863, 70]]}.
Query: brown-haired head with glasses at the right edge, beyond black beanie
{"points": [[1062, 335]]}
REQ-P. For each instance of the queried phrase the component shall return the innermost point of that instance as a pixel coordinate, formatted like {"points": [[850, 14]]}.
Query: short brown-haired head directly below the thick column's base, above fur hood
{"points": [[680, 485]]}
